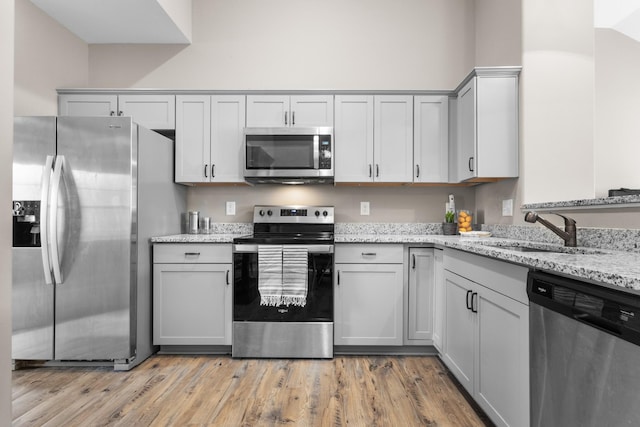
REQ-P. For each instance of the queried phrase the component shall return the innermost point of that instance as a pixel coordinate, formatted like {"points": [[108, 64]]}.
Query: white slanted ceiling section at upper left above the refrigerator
{"points": [[116, 21]]}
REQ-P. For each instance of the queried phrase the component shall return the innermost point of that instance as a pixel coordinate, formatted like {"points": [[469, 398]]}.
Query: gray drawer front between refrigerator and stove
{"points": [[189, 253]]}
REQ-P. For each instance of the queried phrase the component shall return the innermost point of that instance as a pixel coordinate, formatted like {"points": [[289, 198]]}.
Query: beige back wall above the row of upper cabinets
{"points": [[292, 44]]}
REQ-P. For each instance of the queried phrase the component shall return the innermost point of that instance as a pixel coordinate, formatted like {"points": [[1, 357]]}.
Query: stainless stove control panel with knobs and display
{"points": [[293, 214]]}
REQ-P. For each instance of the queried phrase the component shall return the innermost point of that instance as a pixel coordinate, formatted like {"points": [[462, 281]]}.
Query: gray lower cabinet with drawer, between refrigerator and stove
{"points": [[192, 293]]}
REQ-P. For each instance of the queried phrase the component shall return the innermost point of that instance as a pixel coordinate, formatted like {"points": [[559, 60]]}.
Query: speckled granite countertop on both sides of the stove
{"points": [[608, 267]]}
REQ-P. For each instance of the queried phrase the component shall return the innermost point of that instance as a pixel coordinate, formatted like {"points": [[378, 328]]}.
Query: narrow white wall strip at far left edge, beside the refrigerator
{"points": [[6, 138]]}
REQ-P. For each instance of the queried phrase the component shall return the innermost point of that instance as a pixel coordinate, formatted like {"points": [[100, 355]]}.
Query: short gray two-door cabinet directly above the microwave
{"points": [[289, 111]]}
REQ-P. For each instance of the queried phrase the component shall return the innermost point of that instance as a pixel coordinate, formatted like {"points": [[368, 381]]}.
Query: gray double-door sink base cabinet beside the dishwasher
{"points": [[486, 333]]}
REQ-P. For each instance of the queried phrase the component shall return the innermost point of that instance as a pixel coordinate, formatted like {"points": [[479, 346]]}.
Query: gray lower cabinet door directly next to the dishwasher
{"points": [[502, 382]]}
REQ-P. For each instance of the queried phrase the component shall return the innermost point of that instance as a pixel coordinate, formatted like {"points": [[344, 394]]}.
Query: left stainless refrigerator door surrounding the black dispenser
{"points": [[32, 299]]}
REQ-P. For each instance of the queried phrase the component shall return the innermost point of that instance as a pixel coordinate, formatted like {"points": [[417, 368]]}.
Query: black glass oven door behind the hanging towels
{"points": [[246, 294]]}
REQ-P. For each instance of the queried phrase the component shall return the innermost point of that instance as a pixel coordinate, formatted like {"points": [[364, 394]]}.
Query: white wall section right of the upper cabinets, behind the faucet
{"points": [[557, 98]]}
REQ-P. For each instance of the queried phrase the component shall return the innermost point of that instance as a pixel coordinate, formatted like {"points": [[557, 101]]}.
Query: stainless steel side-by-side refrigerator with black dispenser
{"points": [[88, 193]]}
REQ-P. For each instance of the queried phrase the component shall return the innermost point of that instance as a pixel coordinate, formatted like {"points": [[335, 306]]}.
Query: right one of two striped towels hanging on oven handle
{"points": [[294, 275]]}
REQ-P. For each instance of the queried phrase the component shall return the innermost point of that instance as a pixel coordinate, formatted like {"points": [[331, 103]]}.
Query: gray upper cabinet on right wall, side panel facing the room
{"points": [[486, 146]]}
